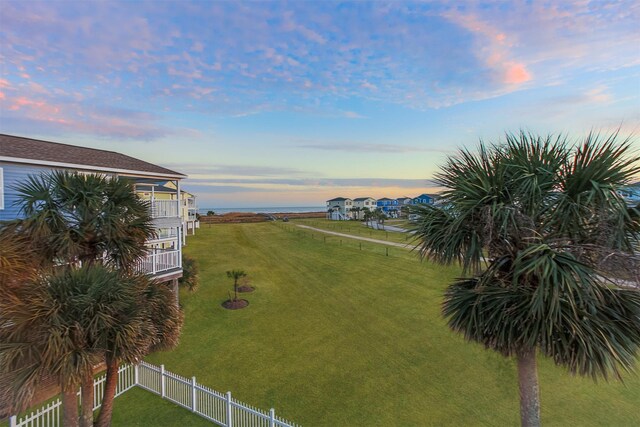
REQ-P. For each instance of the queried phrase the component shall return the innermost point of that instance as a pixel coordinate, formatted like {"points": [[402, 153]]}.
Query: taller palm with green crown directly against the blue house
{"points": [[81, 219]]}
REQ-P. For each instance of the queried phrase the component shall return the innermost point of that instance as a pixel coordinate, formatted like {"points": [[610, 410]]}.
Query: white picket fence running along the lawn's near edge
{"points": [[217, 407]]}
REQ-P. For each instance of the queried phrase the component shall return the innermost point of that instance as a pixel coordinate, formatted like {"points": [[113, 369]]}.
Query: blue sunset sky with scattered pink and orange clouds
{"points": [[293, 103]]}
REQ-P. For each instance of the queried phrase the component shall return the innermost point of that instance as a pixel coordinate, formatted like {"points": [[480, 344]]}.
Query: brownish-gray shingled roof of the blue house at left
{"points": [[46, 151]]}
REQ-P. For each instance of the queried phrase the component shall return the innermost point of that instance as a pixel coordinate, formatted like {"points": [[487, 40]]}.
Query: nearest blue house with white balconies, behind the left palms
{"points": [[21, 157]]}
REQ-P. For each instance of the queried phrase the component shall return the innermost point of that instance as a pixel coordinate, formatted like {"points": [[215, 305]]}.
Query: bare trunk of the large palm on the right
{"points": [[529, 389]]}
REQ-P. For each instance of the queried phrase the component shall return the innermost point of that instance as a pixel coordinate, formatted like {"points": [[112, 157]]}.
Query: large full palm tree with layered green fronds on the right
{"points": [[533, 222]]}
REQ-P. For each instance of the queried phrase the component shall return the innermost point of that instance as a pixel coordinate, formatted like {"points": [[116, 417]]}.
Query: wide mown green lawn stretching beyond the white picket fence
{"points": [[338, 336]]}
